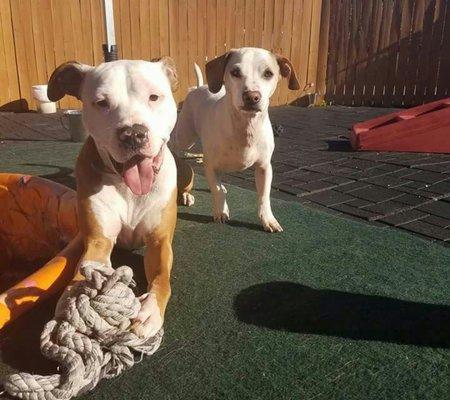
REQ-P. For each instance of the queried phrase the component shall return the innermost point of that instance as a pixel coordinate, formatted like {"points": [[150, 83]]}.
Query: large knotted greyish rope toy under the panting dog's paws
{"points": [[89, 336]]}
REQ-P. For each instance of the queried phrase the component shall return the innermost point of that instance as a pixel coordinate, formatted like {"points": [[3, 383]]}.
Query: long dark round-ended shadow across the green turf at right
{"points": [[297, 308]]}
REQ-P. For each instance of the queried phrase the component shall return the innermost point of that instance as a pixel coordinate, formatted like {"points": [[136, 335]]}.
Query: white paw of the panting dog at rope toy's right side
{"points": [[148, 321]]}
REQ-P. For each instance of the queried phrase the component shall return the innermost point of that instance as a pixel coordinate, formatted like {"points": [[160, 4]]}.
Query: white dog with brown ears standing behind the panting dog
{"points": [[230, 116]]}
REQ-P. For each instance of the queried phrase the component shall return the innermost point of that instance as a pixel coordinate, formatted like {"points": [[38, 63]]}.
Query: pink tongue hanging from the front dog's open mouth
{"points": [[138, 175]]}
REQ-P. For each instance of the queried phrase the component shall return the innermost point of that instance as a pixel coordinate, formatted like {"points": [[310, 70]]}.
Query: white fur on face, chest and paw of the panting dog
{"points": [[126, 218]]}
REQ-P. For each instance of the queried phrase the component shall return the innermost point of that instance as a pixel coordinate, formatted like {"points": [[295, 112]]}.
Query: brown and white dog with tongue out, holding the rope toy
{"points": [[126, 175]]}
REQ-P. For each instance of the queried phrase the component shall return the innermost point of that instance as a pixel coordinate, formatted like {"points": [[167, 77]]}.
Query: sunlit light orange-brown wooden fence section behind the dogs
{"points": [[37, 35]]}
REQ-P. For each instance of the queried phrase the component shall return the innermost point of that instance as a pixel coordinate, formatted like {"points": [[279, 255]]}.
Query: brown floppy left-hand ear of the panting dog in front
{"points": [[66, 79]]}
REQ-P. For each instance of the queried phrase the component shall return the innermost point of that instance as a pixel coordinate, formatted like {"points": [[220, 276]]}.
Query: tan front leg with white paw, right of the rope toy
{"points": [[158, 265]]}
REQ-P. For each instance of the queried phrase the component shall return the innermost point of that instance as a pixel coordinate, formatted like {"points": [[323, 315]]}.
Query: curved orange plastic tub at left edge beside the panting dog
{"points": [[38, 223]]}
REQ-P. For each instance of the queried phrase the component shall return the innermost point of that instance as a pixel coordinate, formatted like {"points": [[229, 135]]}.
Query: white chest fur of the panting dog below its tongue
{"points": [[127, 218]]}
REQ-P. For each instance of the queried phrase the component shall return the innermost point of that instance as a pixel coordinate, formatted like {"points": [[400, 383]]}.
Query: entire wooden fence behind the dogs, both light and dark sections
{"points": [[356, 52]]}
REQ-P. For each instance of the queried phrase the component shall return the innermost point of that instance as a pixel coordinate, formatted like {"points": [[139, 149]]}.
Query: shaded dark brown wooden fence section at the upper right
{"points": [[387, 52]]}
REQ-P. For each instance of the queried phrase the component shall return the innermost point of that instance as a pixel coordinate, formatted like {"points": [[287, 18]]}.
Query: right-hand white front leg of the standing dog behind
{"points": [[263, 179]]}
